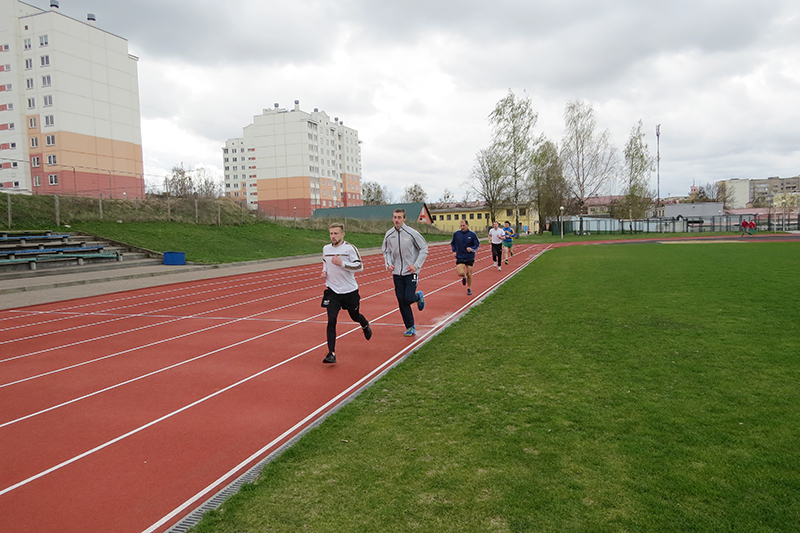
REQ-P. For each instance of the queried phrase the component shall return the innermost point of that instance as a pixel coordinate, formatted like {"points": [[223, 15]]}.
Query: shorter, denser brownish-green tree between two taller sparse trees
{"points": [[548, 187]]}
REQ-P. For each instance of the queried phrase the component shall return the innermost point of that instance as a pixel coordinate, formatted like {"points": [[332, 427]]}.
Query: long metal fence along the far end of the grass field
{"points": [[775, 221]]}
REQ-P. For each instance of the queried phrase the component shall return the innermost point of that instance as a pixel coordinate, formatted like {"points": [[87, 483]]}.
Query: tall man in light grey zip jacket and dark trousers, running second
{"points": [[404, 252]]}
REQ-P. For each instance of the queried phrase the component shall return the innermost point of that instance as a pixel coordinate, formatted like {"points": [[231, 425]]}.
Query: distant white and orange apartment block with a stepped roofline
{"points": [[289, 162]]}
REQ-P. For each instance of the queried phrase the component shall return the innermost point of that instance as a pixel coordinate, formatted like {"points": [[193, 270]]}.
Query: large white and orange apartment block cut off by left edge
{"points": [[69, 106]]}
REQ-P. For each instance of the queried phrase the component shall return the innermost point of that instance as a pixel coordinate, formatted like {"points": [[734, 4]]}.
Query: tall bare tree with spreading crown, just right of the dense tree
{"points": [[589, 159]]}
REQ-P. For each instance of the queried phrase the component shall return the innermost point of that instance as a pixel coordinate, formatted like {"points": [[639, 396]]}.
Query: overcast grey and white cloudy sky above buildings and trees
{"points": [[418, 79]]}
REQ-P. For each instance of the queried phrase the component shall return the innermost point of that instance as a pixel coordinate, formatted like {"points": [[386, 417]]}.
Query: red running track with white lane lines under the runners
{"points": [[125, 412]]}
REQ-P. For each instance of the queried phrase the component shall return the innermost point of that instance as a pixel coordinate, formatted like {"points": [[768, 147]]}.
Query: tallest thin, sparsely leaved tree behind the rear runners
{"points": [[513, 121]]}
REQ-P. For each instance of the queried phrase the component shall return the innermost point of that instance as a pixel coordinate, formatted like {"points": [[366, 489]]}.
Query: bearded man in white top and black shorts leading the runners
{"points": [[340, 262]]}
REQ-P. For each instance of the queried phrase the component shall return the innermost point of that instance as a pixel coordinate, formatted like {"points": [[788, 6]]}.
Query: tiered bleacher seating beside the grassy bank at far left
{"points": [[31, 250]]}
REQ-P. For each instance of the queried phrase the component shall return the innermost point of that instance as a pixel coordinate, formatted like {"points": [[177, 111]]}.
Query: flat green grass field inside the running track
{"points": [[616, 388]]}
